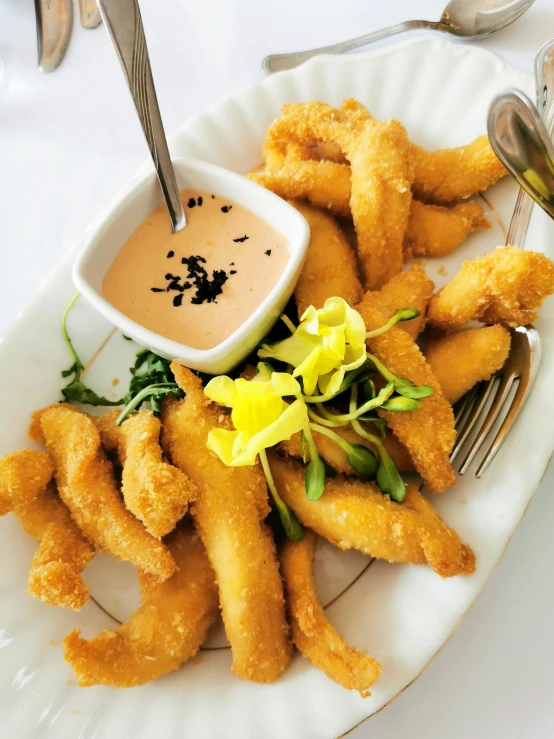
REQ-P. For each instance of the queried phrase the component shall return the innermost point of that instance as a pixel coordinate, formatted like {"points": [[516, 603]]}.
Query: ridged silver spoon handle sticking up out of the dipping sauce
{"points": [[124, 24]]}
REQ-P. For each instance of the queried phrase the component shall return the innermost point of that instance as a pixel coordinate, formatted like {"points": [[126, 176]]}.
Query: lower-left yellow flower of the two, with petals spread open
{"points": [[260, 415]]}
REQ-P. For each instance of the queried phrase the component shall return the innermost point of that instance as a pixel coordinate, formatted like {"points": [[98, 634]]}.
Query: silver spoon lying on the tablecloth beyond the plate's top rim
{"points": [[468, 19]]}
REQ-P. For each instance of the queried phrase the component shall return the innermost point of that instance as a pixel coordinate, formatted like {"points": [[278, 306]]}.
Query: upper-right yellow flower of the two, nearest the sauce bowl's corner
{"points": [[328, 343]]}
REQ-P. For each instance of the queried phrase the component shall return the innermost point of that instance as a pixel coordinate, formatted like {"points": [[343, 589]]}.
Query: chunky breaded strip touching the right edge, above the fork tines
{"points": [[505, 286]]}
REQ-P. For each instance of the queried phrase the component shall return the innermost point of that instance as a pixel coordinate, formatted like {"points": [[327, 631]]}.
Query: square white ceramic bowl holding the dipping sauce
{"points": [[129, 211]]}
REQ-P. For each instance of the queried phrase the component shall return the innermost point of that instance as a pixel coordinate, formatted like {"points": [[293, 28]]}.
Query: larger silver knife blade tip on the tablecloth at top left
{"points": [[54, 26]]}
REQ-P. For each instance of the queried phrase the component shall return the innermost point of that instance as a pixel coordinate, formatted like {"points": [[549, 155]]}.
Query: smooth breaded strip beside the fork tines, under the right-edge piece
{"points": [[464, 358]]}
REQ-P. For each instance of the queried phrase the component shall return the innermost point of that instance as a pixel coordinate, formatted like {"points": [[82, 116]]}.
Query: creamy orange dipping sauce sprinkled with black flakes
{"points": [[200, 285]]}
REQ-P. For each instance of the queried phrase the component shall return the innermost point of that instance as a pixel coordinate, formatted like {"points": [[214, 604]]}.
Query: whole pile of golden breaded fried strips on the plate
{"points": [[150, 492]]}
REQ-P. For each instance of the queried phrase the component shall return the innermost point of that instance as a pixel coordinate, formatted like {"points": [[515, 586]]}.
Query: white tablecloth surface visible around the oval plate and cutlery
{"points": [[69, 139]]}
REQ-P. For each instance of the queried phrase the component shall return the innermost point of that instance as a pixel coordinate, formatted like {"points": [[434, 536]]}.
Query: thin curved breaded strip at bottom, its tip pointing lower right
{"points": [[312, 633]]}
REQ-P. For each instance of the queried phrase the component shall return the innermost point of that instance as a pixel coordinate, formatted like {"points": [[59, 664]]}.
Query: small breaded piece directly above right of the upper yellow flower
{"points": [[411, 289]]}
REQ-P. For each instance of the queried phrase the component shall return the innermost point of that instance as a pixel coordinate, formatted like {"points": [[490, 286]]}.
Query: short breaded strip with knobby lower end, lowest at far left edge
{"points": [[63, 552]]}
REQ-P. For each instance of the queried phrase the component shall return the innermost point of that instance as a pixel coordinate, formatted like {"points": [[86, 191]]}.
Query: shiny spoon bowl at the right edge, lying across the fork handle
{"points": [[521, 142]]}
